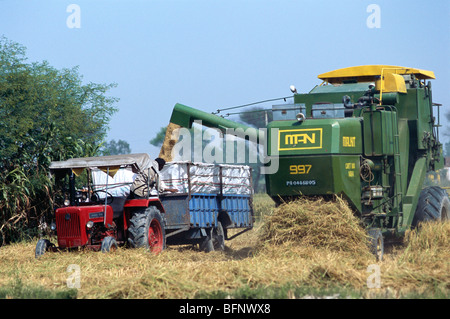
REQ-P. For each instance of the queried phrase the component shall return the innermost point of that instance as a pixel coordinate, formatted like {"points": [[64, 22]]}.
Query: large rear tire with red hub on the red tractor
{"points": [[147, 230]]}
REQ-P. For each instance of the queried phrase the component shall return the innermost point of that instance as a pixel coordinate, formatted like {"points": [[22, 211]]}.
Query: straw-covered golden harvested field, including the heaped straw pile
{"points": [[324, 258]]}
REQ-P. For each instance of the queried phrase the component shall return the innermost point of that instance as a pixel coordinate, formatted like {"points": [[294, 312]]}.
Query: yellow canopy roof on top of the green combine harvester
{"points": [[371, 72]]}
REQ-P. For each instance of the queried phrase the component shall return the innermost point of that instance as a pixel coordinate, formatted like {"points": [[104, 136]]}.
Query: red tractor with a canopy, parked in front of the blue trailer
{"points": [[104, 216]]}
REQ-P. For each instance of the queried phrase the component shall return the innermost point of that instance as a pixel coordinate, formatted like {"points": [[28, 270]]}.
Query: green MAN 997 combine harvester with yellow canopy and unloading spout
{"points": [[367, 133]]}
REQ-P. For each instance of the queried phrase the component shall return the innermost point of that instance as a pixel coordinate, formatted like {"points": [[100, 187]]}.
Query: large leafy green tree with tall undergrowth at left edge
{"points": [[45, 114]]}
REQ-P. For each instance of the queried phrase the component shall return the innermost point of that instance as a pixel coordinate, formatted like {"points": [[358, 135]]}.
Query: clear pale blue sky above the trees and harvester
{"points": [[212, 54]]}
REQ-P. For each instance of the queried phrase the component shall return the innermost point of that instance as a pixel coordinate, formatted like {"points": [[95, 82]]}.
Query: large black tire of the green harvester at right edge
{"points": [[433, 205]]}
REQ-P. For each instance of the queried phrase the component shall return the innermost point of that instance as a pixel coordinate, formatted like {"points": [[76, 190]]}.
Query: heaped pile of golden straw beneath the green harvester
{"points": [[315, 222]]}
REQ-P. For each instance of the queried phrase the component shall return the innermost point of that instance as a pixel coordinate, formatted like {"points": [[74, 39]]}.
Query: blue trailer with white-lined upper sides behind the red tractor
{"points": [[211, 199]]}
